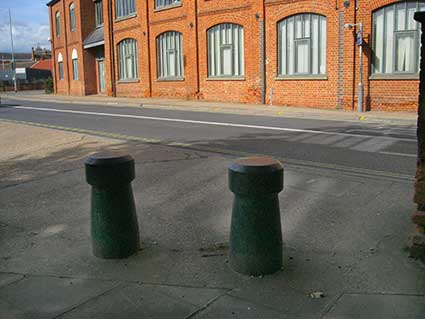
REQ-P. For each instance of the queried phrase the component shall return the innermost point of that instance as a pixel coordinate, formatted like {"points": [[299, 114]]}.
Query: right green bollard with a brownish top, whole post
{"points": [[256, 235]]}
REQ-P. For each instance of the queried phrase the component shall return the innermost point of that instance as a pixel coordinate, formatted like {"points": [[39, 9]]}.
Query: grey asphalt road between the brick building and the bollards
{"points": [[353, 147]]}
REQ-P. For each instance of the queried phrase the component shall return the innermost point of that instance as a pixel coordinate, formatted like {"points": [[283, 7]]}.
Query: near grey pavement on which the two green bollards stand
{"points": [[345, 237]]}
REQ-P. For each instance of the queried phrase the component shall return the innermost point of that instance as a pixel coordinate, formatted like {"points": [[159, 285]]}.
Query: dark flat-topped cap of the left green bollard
{"points": [[109, 169]]}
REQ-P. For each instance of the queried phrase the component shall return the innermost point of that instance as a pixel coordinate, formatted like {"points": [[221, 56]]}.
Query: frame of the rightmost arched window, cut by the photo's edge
{"points": [[378, 71]]}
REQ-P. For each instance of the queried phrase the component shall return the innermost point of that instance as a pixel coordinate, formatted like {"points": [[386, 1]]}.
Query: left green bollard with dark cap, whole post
{"points": [[114, 227]]}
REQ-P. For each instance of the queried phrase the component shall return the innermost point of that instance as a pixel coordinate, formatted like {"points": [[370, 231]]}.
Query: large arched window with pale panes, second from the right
{"points": [[302, 45]]}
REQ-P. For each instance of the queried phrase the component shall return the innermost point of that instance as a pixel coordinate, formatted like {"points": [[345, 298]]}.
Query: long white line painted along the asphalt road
{"points": [[260, 127]]}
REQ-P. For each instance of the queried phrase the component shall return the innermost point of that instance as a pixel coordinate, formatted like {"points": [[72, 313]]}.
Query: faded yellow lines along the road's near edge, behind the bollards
{"points": [[291, 162]]}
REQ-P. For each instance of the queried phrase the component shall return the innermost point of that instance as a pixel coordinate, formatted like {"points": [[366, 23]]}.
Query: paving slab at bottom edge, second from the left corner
{"points": [[145, 301]]}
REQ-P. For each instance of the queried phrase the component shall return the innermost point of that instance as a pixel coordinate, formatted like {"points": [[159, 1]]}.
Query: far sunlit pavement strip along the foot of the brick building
{"points": [[405, 118]]}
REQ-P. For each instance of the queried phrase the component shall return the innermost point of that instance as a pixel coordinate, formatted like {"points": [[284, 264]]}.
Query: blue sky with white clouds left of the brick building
{"points": [[30, 21]]}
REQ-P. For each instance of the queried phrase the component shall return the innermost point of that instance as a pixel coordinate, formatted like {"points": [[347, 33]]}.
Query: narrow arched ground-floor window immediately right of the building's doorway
{"points": [[127, 60]]}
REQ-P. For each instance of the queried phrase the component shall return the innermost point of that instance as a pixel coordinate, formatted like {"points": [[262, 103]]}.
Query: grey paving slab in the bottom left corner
{"points": [[47, 297]]}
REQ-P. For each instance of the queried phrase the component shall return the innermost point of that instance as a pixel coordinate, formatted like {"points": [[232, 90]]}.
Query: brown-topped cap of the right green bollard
{"points": [[255, 176]]}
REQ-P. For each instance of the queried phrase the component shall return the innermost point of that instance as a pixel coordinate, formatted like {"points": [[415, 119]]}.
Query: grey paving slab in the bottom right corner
{"points": [[354, 306]]}
